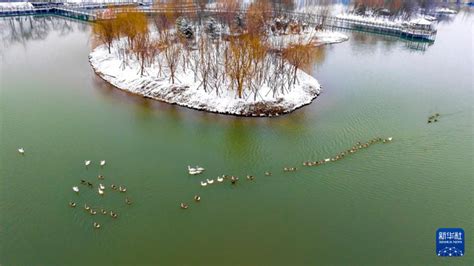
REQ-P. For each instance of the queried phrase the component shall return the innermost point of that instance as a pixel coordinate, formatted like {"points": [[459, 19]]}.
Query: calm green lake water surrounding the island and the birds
{"points": [[381, 206]]}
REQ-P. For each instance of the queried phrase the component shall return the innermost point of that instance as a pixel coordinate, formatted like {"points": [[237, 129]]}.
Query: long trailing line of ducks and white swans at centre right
{"points": [[233, 179]]}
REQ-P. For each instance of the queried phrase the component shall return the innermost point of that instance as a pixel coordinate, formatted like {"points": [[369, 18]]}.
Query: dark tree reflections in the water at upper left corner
{"points": [[22, 29]]}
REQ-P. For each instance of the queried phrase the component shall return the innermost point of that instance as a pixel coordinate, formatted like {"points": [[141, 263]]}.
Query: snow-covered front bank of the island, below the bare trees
{"points": [[186, 93]]}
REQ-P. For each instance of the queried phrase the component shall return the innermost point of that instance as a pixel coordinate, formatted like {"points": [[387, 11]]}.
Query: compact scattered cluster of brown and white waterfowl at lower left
{"points": [[101, 188]]}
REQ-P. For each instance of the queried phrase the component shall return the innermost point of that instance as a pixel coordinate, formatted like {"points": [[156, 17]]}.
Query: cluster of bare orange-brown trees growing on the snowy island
{"points": [[227, 52]]}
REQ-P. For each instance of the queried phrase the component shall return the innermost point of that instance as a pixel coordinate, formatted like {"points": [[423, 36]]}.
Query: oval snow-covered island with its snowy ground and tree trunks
{"points": [[182, 73]]}
